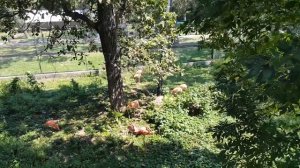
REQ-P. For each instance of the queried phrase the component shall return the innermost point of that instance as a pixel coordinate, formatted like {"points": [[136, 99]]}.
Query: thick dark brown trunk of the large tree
{"points": [[107, 30]]}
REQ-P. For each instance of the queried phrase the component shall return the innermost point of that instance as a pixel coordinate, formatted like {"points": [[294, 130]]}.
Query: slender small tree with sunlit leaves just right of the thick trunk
{"points": [[151, 45]]}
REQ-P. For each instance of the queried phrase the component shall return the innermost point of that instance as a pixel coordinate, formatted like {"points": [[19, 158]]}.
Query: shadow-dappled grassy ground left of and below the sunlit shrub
{"points": [[25, 142]]}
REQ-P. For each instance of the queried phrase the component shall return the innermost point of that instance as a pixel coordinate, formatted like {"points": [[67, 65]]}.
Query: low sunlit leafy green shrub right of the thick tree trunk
{"points": [[174, 119]]}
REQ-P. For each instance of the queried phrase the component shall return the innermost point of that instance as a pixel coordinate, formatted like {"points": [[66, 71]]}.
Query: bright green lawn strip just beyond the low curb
{"points": [[18, 66]]}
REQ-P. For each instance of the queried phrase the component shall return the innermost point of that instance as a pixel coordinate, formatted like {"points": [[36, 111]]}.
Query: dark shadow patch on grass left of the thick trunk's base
{"points": [[27, 111]]}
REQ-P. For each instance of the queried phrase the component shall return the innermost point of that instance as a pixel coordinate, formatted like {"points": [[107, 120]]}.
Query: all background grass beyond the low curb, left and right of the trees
{"points": [[25, 59]]}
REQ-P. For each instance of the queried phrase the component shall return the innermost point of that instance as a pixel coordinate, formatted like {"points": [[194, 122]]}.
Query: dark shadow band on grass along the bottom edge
{"points": [[107, 152]]}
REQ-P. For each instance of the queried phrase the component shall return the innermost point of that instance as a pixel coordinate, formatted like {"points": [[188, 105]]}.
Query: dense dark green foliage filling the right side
{"points": [[259, 78]]}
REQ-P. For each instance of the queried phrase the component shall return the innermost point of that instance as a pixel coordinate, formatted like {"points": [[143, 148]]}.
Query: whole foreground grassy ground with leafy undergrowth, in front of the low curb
{"points": [[93, 136]]}
